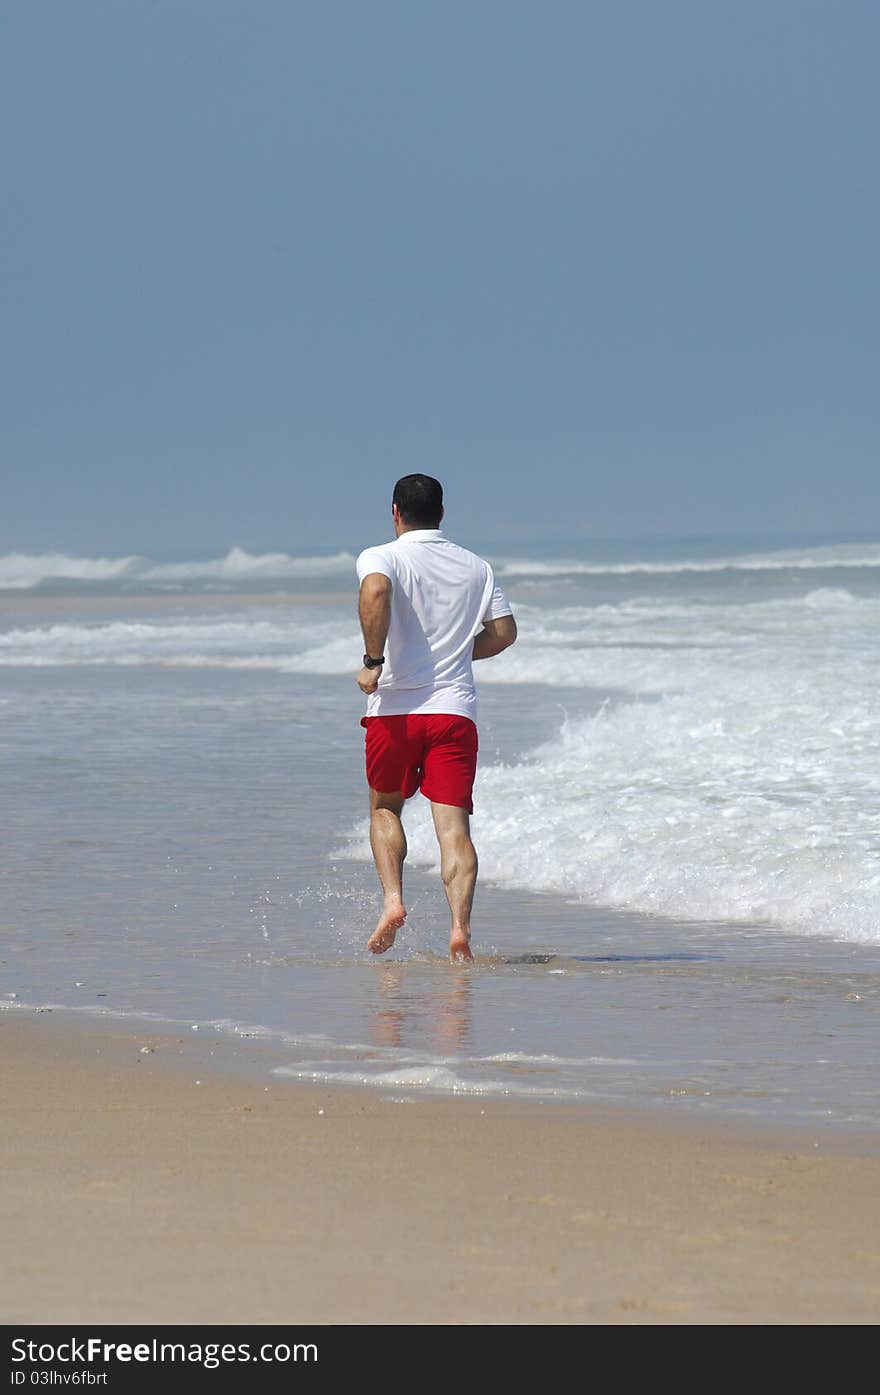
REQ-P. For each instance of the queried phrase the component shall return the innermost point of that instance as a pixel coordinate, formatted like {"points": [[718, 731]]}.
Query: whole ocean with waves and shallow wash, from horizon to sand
{"points": [[677, 817]]}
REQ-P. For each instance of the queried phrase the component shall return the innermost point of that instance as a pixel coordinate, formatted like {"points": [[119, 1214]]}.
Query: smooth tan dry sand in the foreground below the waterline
{"points": [[151, 1179]]}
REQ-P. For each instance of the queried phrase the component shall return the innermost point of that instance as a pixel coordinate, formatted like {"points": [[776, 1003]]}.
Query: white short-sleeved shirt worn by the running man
{"points": [[441, 595]]}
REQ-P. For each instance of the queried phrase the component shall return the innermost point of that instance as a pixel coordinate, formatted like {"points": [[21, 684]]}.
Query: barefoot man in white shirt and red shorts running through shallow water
{"points": [[427, 610]]}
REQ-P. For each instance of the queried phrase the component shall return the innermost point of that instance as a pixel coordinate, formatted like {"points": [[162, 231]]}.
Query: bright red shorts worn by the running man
{"points": [[430, 751]]}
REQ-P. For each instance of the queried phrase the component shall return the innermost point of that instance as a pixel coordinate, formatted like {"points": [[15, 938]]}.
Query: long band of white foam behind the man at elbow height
{"points": [[641, 647]]}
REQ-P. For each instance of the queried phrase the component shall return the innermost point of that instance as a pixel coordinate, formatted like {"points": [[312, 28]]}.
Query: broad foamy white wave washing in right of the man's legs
{"points": [[754, 799]]}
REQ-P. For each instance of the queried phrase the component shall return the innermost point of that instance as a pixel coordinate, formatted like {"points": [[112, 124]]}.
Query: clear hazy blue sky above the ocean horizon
{"points": [[606, 269]]}
